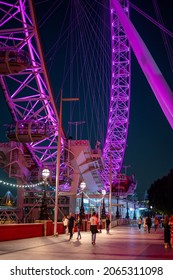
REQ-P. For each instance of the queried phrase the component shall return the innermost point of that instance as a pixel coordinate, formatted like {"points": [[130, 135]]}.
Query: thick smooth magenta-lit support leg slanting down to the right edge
{"points": [[153, 74]]}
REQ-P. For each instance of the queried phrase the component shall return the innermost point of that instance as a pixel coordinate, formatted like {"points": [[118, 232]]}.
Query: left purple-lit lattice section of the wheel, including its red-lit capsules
{"points": [[25, 84]]}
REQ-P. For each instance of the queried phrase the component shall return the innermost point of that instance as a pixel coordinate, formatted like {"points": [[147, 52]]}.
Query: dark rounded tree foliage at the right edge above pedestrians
{"points": [[160, 194]]}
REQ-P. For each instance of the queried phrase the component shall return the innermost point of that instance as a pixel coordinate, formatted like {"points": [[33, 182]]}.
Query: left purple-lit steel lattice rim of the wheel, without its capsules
{"points": [[28, 93]]}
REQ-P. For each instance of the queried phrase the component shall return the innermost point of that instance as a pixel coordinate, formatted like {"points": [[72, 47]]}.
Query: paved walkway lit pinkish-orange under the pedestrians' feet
{"points": [[123, 243]]}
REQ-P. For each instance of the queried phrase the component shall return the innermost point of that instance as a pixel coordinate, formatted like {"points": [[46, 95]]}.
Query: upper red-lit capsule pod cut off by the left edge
{"points": [[13, 61]]}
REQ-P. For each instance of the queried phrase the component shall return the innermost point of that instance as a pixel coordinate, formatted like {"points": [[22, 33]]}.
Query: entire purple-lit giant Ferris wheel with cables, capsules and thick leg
{"points": [[98, 72]]}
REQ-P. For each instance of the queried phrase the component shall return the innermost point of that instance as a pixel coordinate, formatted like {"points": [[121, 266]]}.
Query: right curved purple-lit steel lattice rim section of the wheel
{"points": [[117, 127]]}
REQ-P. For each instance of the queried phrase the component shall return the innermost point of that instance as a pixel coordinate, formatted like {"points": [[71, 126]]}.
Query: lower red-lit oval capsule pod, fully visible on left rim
{"points": [[27, 131]]}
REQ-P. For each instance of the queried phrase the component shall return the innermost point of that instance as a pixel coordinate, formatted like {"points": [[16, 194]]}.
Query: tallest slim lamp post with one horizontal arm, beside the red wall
{"points": [[58, 160]]}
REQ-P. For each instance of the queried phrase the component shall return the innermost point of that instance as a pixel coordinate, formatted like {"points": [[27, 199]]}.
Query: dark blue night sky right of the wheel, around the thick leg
{"points": [[150, 138]]}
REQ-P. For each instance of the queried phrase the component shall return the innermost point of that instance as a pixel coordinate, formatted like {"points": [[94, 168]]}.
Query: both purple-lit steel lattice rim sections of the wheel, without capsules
{"points": [[30, 97]]}
